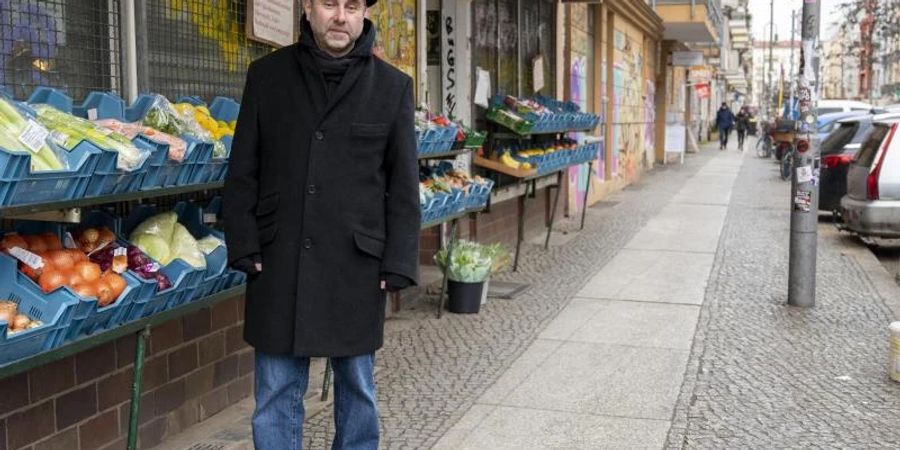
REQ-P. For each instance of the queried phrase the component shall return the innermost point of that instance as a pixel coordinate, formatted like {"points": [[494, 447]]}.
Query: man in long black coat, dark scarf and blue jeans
{"points": [[322, 212]]}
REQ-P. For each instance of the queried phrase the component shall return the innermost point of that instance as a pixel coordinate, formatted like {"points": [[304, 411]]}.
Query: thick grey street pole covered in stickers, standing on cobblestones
{"points": [[804, 180]]}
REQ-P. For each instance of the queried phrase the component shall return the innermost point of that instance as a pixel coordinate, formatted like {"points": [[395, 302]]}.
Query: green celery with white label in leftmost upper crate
{"points": [[19, 132]]}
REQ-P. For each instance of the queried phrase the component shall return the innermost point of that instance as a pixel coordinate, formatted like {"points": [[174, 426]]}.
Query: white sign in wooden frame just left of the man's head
{"points": [[271, 21]]}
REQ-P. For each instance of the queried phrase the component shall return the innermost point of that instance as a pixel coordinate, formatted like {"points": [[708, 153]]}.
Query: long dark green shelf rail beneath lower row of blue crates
{"points": [[125, 329]]}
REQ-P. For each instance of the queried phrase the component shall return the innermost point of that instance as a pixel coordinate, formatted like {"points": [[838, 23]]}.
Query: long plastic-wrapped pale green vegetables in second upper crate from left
{"points": [[68, 130]]}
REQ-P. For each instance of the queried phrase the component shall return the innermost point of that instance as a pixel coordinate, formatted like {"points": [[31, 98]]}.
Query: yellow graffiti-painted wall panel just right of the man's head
{"points": [[395, 21]]}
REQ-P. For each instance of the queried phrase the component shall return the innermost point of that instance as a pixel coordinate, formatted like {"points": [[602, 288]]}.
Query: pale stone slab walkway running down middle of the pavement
{"points": [[607, 371]]}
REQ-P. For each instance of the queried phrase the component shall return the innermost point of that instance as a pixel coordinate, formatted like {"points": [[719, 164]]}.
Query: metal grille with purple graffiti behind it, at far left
{"points": [[69, 44]]}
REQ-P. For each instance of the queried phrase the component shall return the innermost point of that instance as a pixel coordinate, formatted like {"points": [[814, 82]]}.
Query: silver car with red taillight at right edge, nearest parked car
{"points": [[872, 204]]}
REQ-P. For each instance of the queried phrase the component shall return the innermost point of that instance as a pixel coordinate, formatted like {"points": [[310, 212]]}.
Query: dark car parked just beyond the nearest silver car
{"points": [[837, 152]]}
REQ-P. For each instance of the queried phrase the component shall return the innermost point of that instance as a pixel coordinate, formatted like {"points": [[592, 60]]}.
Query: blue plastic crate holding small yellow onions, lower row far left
{"points": [[55, 310]]}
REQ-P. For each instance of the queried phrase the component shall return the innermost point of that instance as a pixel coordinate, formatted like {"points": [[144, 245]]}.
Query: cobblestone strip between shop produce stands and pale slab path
{"points": [[432, 371]]}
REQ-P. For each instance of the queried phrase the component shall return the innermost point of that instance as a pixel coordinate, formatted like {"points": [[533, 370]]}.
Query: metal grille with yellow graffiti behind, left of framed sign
{"points": [[198, 47]]}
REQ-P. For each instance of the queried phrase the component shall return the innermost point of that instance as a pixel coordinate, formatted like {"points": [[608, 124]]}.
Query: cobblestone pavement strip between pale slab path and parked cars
{"points": [[765, 375]]}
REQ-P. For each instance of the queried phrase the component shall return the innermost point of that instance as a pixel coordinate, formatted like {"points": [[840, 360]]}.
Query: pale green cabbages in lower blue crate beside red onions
{"points": [[164, 239]]}
